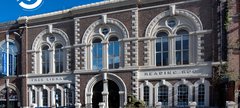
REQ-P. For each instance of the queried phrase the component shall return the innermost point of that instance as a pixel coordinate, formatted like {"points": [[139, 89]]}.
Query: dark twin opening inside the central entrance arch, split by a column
{"points": [[113, 97]]}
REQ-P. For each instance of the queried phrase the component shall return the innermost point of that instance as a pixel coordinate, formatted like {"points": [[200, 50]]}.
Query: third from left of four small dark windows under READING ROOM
{"points": [[182, 95]]}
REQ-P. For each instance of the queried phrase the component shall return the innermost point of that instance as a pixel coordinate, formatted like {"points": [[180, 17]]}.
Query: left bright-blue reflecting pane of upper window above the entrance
{"points": [[97, 59]]}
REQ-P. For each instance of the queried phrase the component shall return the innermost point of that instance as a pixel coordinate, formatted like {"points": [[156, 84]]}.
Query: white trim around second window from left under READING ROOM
{"points": [[169, 85]]}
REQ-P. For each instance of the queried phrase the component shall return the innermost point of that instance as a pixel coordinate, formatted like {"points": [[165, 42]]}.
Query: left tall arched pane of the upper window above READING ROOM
{"points": [[162, 49]]}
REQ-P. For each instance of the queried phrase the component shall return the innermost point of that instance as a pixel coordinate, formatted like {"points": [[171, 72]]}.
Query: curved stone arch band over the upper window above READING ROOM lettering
{"points": [[181, 12]]}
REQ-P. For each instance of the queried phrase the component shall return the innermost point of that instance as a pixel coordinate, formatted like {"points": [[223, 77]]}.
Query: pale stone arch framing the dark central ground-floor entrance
{"points": [[114, 78]]}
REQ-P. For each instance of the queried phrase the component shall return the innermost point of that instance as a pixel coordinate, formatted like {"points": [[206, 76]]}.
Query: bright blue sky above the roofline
{"points": [[10, 10]]}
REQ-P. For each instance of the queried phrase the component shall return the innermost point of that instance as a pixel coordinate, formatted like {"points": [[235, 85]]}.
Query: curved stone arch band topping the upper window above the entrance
{"points": [[87, 35]]}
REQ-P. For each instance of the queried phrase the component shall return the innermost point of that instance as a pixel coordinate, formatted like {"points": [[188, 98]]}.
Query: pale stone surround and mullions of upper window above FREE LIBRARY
{"points": [[43, 38]]}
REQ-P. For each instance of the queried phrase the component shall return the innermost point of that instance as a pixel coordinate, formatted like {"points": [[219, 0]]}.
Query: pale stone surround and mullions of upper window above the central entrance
{"points": [[116, 28]]}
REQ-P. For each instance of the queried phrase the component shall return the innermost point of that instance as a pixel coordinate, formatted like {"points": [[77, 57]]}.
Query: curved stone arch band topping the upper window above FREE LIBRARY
{"points": [[39, 39]]}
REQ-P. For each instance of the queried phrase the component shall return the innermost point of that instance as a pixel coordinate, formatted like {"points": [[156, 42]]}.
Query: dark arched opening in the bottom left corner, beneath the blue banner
{"points": [[12, 97]]}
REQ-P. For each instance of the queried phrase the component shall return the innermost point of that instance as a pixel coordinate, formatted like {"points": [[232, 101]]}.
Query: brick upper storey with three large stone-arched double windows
{"points": [[122, 34]]}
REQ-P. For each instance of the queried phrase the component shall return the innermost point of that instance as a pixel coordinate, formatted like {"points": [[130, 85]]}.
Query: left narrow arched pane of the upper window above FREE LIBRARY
{"points": [[45, 59]]}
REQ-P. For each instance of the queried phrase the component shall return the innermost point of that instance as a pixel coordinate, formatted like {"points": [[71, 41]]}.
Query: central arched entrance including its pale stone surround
{"points": [[116, 86]]}
